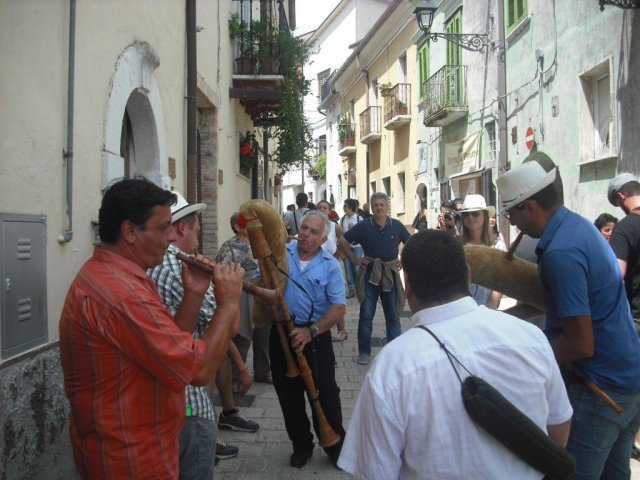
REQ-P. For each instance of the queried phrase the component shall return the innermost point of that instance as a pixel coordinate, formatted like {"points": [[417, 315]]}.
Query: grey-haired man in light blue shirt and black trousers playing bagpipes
{"points": [[314, 311]]}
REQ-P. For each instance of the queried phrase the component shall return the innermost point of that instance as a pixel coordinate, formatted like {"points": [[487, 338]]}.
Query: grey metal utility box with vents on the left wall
{"points": [[23, 310]]}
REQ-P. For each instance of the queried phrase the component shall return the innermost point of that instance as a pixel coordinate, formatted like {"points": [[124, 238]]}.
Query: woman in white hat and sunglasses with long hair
{"points": [[476, 230]]}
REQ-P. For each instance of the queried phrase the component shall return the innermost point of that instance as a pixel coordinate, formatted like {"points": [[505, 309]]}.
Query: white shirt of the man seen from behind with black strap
{"points": [[409, 420]]}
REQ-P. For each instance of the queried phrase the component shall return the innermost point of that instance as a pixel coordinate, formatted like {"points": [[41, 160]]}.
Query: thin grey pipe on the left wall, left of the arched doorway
{"points": [[68, 154]]}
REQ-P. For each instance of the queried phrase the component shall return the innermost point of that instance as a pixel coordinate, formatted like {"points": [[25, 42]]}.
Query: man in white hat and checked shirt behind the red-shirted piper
{"points": [[198, 445]]}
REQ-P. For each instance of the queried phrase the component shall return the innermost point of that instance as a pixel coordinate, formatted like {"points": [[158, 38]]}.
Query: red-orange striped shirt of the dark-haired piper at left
{"points": [[125, 367]]}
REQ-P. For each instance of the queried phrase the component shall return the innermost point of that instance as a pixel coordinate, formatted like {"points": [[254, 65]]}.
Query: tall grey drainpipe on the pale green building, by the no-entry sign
{"points": [[502, 105]]}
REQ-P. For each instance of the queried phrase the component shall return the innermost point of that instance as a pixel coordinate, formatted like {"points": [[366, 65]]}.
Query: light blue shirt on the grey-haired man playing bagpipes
{"points": [[321, 279]]}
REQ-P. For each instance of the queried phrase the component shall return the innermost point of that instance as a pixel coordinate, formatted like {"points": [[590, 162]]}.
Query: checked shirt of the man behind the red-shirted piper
{"points": [[167, 277]]}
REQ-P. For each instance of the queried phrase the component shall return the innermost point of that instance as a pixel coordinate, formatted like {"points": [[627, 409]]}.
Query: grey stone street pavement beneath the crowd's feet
{"points": [[265, 454]]}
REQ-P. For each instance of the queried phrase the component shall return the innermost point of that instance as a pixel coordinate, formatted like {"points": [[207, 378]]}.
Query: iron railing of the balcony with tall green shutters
{"points": [[445, 89]]}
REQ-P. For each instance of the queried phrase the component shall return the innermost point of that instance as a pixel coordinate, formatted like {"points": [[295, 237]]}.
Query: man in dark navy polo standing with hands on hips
{"points": [[380, 237]]}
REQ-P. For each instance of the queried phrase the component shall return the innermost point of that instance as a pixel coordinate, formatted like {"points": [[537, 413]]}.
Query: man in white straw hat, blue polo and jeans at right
{"points": [[589, 324]]}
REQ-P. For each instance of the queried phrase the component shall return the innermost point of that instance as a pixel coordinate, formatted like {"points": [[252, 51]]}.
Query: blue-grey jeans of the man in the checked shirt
{"points": [[197, 448]]}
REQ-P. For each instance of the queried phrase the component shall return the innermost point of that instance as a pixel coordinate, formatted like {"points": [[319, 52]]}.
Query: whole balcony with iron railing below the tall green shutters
{"points": [[445, 97]]}
